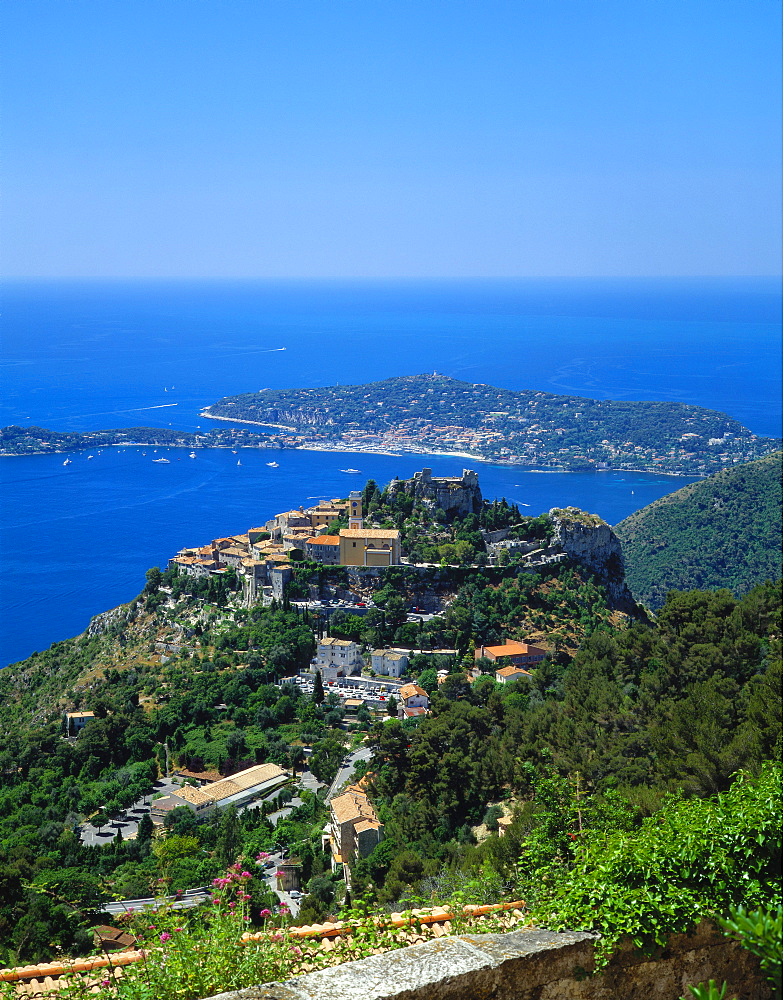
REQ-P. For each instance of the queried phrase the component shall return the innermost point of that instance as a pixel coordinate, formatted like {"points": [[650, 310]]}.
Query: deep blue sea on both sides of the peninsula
{"points": [[77, 539]]}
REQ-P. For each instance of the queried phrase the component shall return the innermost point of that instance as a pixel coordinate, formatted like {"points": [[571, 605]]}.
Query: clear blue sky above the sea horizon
{"points": [[361, 138]]}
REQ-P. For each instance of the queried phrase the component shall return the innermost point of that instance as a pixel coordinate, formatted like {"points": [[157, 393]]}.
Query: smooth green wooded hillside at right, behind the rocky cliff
{"points": [[722, 532]]}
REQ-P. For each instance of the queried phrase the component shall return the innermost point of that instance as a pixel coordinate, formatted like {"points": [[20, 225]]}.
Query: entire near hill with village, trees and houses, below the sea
{"points": [[379, 698]]}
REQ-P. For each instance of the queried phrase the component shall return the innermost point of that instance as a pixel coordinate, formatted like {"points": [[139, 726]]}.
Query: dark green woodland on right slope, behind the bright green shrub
{"points": [[636, 714]]}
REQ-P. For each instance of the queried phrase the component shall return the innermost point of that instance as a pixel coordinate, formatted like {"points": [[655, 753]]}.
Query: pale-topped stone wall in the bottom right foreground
{"points": [[528, 965]]}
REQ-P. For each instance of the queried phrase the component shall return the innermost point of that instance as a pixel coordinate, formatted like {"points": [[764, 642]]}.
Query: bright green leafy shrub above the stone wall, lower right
{"points": [[694, 858]]}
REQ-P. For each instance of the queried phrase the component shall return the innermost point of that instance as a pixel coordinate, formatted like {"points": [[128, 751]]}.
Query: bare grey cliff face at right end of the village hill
{"points": [[590, 541]]}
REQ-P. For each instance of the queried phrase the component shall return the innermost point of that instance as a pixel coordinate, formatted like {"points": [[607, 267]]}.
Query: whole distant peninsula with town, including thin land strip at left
{"points": [[434, 413]]}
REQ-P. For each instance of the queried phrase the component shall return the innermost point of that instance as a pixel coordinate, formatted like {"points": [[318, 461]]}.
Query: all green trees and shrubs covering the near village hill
{"points": [[628, 728]]}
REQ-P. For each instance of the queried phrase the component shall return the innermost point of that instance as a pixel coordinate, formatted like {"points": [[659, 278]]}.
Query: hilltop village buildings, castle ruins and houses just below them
{"points": [[264, 560]]}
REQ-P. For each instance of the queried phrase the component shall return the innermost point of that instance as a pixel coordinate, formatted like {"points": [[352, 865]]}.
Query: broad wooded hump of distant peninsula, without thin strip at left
{"points": [[433, 412]]}
